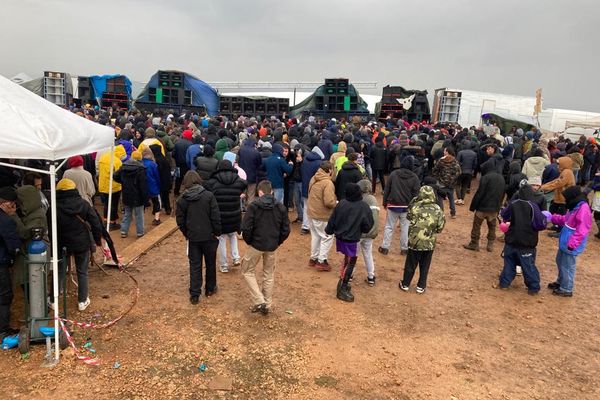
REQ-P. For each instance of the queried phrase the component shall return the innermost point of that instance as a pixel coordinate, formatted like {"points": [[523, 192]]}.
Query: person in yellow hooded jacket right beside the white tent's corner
{"points": [[104, 182]]}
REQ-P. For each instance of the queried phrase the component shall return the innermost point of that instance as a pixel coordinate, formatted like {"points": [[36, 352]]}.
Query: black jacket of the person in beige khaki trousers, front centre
{"points": [[266, 225]]}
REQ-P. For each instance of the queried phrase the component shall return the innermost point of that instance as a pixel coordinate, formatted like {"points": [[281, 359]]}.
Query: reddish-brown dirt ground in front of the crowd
{"points": [[462, 339]]}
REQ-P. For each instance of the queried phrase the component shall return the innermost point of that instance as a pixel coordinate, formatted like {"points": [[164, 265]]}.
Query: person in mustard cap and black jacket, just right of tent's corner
{"points": [[132, 175]]}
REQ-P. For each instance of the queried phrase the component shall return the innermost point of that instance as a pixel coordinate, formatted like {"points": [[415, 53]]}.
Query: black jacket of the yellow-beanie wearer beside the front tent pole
{"points": [[73, 233]]}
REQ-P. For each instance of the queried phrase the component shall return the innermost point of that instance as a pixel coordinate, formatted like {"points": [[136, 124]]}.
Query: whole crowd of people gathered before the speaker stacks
{"points": [[226, 178]]}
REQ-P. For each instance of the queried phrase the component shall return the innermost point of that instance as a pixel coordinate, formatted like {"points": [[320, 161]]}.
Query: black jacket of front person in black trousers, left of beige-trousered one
{"points": [[197, 215]]}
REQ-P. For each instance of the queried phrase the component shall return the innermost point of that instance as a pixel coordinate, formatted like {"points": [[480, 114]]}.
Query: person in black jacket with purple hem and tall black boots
{"points": [[350, 219]]}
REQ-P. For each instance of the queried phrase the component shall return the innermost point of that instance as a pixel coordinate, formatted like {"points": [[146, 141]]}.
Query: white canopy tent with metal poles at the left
{"points": [[33, 128]]}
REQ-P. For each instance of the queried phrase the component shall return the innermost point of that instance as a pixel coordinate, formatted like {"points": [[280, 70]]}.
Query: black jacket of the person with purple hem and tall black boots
{"points": [[351, 218]]}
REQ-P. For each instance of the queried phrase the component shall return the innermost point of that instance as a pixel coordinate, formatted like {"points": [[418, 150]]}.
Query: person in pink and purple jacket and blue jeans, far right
{"points": [[573, 238]]}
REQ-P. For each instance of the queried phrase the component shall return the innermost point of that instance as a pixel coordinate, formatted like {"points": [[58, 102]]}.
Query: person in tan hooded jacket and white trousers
{"points": [[320, 204]]}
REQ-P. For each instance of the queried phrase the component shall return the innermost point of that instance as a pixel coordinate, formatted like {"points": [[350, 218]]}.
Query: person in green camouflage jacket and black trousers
{"points": [[426, 221]]}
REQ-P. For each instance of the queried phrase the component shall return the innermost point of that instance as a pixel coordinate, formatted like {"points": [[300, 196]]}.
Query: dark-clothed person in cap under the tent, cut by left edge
{"points": [[9, 244]]}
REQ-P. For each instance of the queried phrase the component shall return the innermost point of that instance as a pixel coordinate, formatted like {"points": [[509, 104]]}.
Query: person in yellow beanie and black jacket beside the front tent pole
{"points": [[78, 228]]}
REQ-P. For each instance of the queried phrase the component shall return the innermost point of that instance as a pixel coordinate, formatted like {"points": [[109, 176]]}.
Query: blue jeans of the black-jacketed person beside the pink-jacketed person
{"points": [[526, 259]]}
